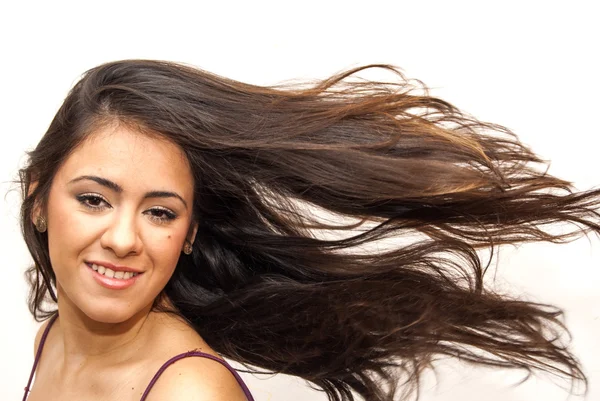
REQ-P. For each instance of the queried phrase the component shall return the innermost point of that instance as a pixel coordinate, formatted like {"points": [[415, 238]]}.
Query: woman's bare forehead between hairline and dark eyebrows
{"points": [[131, 159]]}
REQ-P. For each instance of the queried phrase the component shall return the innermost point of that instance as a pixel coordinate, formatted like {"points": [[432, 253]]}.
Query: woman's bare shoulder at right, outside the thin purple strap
{"points": [[196, 379]]}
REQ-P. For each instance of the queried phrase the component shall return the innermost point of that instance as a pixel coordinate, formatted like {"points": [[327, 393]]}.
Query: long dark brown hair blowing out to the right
{"points": [[265, 288]]}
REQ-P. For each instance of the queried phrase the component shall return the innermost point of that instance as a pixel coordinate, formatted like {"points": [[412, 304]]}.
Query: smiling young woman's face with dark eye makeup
{"points": [[120, 204]]}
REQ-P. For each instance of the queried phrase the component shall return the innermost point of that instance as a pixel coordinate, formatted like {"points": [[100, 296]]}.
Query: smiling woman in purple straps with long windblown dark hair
{"points": [[190, 189]]}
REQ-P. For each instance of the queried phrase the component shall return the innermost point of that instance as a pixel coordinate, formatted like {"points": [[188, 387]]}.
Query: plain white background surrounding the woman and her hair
{"points": [[529, 65]]}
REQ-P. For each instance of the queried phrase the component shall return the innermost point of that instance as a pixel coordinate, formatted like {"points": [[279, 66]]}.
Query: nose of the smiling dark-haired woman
{"points": [[122, 236]]}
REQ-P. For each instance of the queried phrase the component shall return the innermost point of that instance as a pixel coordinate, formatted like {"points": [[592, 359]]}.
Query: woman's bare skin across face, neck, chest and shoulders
{"points": [[107, 344]]}
